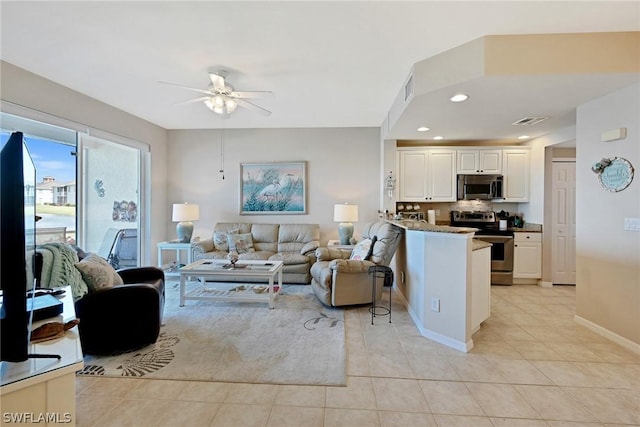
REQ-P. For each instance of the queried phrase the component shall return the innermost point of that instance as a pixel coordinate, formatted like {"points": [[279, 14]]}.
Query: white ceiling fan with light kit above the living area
{"points": [[223, 99]]}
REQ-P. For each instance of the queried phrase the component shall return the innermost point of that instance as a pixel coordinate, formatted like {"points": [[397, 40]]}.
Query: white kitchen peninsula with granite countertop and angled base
{"points": [[434, 268]]}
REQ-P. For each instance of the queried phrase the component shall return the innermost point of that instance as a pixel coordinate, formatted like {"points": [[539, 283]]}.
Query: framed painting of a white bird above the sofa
{"points": [[273, 188]]}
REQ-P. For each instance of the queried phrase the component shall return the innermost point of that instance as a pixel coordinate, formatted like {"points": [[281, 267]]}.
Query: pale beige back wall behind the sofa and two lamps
{"points": [[343, 165]]}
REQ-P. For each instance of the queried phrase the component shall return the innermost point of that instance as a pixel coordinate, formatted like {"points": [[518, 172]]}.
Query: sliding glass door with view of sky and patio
{"points": [[90, 189]]}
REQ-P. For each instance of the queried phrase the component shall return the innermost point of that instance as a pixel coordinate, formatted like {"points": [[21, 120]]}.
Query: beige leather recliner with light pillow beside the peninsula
{"points": [[337, 280]]}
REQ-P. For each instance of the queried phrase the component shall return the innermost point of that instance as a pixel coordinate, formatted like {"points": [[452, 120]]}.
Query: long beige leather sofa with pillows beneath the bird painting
{"points": [[293, 244]]}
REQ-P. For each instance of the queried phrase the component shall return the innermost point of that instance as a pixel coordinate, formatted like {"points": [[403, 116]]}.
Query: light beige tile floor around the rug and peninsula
{"points": [[532, 365]]}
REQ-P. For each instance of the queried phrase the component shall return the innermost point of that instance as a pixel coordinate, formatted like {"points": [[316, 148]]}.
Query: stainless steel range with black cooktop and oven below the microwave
{"points": [[502, 242]]}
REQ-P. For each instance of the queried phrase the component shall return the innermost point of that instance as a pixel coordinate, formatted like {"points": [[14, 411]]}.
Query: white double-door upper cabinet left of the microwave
{"points": [[427, 175]]}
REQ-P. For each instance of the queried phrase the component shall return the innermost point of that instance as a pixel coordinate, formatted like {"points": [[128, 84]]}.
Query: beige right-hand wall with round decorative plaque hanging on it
{"points": [[608, 258]]}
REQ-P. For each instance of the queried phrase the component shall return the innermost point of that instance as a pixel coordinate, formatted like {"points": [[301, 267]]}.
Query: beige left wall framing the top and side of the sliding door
{"points": [[24, 89]]}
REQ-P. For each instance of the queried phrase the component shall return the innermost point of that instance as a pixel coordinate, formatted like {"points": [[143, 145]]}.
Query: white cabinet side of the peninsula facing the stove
{"points": [[480, 287]]}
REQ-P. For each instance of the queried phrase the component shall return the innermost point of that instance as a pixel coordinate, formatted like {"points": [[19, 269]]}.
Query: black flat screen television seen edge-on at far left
{"points": [[17, 246]]}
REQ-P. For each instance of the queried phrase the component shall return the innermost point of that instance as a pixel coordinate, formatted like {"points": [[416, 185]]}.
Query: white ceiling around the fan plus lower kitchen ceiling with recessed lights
{"points": [[328, 64]]}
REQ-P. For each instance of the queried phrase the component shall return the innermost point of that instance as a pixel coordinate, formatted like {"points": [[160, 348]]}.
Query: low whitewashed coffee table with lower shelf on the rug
{"points": [[220, 271]]}
